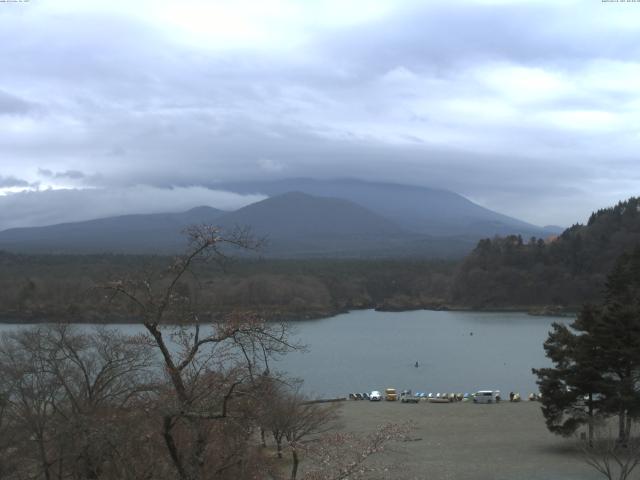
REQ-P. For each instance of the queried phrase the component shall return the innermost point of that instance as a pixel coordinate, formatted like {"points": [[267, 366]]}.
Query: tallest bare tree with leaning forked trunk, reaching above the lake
{"points": [[211, 371]]}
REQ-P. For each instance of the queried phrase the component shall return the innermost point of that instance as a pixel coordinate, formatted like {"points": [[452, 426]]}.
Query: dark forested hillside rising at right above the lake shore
{"points": [[568, 270]]}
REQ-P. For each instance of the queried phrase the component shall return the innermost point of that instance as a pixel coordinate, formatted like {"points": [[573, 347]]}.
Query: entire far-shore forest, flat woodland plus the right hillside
{"points": [[547, 275]]}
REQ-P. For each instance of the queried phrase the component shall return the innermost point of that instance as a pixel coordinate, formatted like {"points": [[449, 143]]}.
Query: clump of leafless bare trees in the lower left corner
{"points": [[67, 394]]}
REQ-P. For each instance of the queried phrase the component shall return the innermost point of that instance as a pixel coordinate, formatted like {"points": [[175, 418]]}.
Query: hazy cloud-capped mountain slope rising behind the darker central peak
{"points": [[418, 209]]}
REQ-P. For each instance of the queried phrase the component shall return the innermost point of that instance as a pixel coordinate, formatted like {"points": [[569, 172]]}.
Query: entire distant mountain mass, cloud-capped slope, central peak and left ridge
{"points": [[341, 218]]}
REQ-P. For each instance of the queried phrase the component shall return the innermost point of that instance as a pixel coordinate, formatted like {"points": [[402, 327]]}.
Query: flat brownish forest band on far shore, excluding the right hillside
{"points": [[39, 287]]}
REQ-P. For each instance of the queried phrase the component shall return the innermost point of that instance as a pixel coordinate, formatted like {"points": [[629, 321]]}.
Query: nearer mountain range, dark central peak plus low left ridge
{"points": [[296, 225]]}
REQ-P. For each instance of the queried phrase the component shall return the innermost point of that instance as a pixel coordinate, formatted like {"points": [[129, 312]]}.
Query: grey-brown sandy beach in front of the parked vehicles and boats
{"points": [[468, 441]]}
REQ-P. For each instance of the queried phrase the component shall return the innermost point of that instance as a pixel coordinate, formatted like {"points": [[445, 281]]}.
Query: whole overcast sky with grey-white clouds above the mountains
{"points": [[528, 108]]}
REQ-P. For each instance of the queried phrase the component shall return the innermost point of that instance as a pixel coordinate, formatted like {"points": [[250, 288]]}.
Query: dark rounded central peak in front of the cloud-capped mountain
{"points": [[299, 225]]}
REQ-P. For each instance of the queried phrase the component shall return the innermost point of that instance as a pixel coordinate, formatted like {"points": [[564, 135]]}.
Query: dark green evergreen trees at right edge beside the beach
{"points": [[597, 359]]}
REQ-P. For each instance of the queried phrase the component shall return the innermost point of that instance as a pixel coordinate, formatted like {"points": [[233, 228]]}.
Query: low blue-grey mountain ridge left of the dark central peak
{"points": [[150, 233]]}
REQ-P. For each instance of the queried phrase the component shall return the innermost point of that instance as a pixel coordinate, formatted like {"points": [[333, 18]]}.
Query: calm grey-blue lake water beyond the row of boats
{"points": [[456, 351]]}
